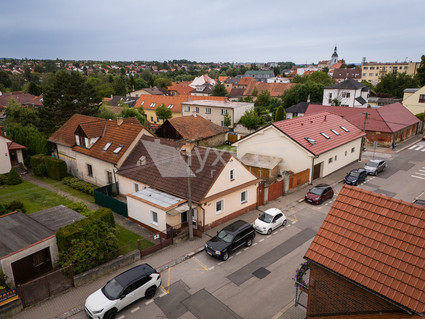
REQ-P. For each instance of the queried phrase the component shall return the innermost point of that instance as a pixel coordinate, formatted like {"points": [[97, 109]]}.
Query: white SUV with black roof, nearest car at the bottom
{"points": [[124, 289]]}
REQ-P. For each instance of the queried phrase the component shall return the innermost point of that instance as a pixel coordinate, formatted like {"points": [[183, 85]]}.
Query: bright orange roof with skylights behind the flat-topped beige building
{"points": [[176, 101]]}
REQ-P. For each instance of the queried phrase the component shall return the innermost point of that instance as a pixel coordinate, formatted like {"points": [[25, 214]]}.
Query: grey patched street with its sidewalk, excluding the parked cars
{"points": [[257, 281]]}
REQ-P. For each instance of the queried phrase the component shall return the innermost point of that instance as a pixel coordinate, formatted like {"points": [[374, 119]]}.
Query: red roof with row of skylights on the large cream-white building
{"points": [[311, 127]]}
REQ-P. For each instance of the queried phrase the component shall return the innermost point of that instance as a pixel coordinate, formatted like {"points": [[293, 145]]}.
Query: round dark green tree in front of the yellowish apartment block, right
{"points": [[395, 83]]}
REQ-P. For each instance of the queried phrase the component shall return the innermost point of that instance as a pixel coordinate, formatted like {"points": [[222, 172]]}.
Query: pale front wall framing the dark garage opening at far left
{"points": [[6, 263]]}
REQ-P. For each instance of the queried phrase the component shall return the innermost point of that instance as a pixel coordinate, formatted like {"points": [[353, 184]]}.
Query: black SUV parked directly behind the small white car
{"points": [[229, 239]]}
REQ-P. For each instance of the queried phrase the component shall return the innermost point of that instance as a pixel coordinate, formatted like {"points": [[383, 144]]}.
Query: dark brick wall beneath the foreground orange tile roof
{"points": [[329, 294]]}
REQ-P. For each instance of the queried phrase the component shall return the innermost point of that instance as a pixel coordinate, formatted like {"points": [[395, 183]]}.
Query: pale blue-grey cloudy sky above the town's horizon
{"points": [[301, 31]]}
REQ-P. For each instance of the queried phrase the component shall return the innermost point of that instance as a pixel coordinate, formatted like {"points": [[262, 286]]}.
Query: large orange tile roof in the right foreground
{"points": [[376, 241]]}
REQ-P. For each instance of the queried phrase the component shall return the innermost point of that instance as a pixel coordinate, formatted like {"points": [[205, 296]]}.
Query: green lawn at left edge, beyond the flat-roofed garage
{"points": [[34, 198]]}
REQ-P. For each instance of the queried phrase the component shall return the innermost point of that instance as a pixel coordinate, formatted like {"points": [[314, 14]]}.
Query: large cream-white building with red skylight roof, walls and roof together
{"points": [[323, 144]]}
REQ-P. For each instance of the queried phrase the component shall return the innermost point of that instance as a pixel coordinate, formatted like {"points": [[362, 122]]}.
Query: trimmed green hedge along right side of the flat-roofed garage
{"points": [[65, 235]]}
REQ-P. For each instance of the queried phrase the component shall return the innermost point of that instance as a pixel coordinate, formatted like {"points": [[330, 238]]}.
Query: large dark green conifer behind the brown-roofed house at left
{"points": [[68, 95]]}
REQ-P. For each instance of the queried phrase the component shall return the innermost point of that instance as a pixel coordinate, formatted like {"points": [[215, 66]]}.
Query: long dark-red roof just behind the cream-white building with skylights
{"points": [[389, 118]]}
